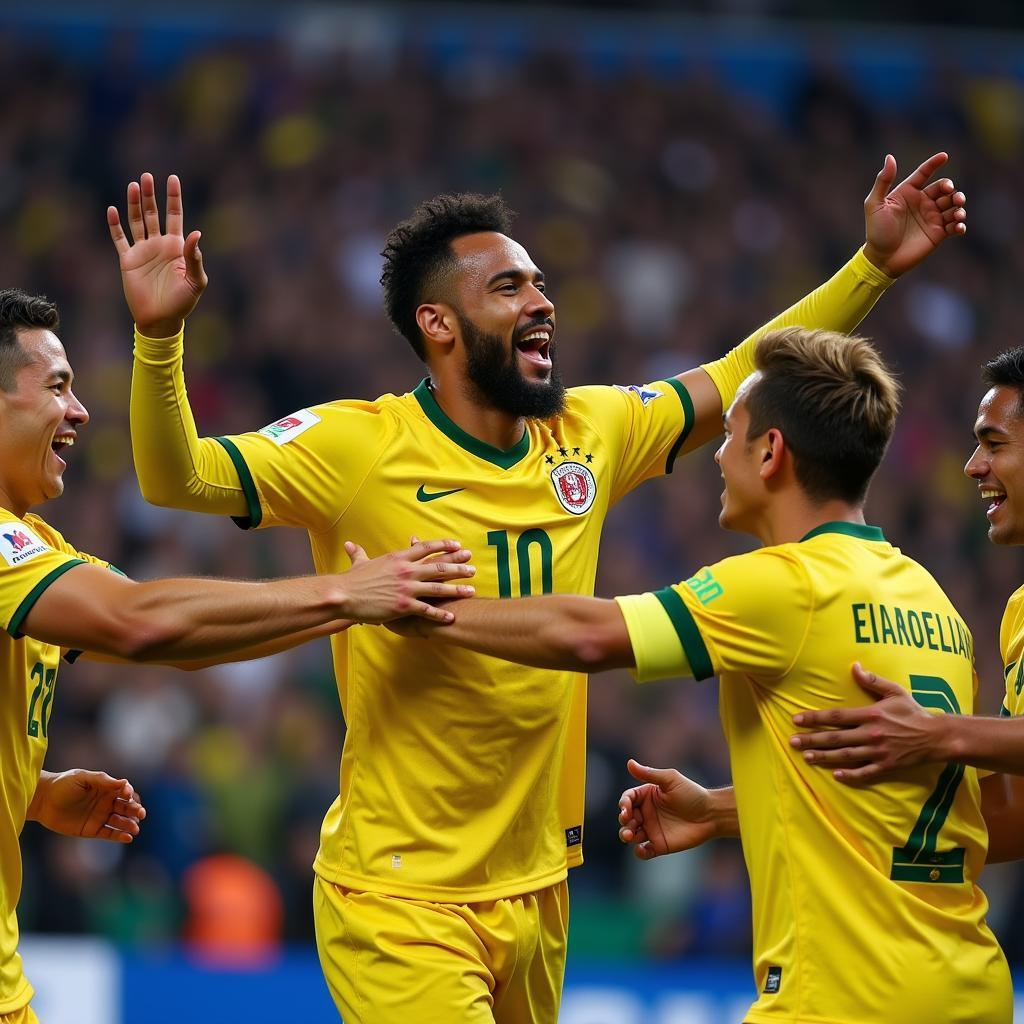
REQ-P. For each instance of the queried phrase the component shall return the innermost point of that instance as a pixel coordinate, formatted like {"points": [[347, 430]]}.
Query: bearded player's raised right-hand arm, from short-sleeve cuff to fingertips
{"points": [[903, 227]]}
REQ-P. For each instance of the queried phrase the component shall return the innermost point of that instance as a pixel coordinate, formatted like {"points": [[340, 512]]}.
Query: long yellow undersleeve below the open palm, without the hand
{"points": [[177, 468]]}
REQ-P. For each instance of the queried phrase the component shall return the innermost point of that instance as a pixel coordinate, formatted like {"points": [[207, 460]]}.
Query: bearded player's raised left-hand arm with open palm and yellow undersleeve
{"points": [[163, 279]]}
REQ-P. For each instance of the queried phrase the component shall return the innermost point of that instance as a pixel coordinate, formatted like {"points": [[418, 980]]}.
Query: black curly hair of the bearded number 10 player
{"points": [[418, 258]]}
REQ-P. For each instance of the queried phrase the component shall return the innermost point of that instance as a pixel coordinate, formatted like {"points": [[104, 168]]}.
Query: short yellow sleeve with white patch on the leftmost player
{"points": [[29, 564]]}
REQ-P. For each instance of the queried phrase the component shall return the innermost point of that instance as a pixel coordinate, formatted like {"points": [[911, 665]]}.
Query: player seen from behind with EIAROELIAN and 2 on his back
{"points": [[866, 905]]}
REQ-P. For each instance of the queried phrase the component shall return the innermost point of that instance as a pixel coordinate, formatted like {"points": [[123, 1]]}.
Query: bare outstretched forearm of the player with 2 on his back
{"points": [[582, 634]]}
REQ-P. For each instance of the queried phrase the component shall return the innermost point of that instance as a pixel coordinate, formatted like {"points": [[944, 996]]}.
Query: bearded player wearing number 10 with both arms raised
{"points": [[461, 788]]}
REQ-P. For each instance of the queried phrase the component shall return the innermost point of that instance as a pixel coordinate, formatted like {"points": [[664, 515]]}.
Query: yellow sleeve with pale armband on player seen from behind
{"points": [[747, 615]]}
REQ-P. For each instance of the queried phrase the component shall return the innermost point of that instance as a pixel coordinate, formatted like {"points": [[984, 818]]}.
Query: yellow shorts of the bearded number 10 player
{"points": [[395, 961]]}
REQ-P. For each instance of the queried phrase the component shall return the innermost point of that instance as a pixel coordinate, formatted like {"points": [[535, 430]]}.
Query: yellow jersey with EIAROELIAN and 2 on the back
{"points": [[866, 903]]}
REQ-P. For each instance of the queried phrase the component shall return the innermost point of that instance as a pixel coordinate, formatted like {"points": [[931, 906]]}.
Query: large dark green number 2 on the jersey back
{"points": [[918, 860]]}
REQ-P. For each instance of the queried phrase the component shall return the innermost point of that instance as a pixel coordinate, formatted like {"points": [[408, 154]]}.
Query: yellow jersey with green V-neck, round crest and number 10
{"points": [[462, 777]]}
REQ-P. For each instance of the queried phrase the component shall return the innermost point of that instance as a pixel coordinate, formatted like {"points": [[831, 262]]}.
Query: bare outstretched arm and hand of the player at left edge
{"points": [[91, 609]]}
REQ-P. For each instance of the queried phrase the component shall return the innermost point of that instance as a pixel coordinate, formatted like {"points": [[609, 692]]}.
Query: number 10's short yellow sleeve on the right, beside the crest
{"points": [[644, 426]]}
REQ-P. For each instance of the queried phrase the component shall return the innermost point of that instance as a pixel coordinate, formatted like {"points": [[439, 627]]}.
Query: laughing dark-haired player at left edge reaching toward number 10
{"points": [[57, 601]]}
